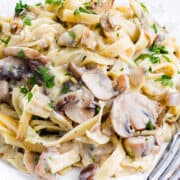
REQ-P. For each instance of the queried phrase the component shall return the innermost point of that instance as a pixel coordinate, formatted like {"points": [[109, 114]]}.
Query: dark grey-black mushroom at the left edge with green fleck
{"points": [[12, 68]]}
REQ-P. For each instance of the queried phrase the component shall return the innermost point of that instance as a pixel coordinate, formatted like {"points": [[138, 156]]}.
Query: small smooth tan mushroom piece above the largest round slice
{"points": [[137, 77]]}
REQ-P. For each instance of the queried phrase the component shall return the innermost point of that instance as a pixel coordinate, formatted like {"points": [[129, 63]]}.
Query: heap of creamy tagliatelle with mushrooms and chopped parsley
{"points": [[86, 84]]}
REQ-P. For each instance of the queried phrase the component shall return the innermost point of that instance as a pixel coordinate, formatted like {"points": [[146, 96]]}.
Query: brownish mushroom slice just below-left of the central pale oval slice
{"points": [[82, 109]]}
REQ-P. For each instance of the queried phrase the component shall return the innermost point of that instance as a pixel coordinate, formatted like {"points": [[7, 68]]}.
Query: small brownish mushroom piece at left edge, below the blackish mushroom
{"points": [[4, 95]]}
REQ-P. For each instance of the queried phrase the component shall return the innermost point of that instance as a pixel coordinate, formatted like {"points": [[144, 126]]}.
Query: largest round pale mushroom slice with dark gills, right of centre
{"points": [[132, 112]]}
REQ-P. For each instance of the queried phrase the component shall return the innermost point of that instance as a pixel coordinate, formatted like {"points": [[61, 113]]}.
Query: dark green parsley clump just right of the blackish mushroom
{"points": [[47, 78]]}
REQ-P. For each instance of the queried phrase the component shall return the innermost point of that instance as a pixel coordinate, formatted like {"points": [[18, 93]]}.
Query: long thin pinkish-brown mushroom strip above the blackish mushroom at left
{"points": [[26, 53]]}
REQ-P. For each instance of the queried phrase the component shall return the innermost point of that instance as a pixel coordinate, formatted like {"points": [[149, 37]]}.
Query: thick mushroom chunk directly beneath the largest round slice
{"points": [[139, 146]]}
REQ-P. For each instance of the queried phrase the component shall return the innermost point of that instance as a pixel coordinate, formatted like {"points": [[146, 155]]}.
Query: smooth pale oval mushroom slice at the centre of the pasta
{"points": [[99, 84]]}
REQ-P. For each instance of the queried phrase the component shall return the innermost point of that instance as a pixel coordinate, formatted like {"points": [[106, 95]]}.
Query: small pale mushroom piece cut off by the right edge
{"points": [[173, 99]]}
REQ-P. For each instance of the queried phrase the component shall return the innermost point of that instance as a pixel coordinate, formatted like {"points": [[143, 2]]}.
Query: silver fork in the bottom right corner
{"points": [[169, 164]]}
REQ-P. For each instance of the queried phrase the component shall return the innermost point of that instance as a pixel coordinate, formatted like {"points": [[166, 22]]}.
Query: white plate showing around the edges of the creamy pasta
{"points": [[166, 13]]}
